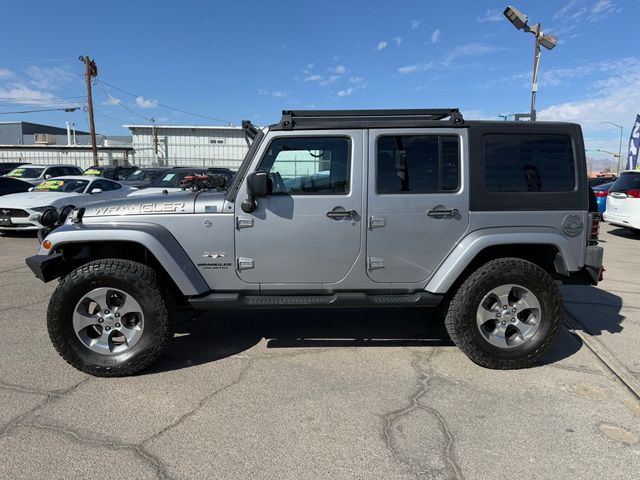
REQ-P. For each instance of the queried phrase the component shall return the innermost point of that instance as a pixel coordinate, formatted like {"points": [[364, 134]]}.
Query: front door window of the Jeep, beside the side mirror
{"points": [[308, 166]]}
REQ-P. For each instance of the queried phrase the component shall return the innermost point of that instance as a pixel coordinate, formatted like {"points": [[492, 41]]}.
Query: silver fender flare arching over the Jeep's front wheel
{"points": [[155, 238]]}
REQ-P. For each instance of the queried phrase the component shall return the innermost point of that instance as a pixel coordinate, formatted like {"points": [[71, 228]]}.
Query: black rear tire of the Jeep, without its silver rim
{"points": [[461, 324]]}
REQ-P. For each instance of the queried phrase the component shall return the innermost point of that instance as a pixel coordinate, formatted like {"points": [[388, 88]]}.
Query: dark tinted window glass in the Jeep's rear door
{"points": [[418, 164]]}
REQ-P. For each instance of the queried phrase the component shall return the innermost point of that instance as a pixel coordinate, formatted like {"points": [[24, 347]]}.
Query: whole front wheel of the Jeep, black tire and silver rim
{"points": [[110, 317]]}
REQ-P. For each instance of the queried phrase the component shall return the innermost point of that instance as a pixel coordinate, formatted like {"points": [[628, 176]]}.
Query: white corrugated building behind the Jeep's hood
{"points": [[175, 145]]}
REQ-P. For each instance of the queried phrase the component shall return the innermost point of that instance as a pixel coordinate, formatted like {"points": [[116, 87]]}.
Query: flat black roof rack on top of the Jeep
{"points": [[310, 119]]}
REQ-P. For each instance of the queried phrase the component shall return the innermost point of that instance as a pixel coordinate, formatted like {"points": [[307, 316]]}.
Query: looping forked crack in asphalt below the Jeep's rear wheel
{"points": [[391, 418]]}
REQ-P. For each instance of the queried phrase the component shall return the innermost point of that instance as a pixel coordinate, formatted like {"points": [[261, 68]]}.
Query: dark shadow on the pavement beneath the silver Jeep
{"points": [[204, 337]]}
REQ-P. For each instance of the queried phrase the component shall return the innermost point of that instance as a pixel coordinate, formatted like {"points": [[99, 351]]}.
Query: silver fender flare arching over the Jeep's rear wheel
{"points": [[471, 245]]}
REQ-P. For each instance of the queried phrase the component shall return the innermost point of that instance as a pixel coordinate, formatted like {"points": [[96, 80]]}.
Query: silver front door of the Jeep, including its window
{"points": [[307, 230]]}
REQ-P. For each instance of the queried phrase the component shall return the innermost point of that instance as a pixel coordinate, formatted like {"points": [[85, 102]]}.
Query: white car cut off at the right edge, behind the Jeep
{"points": [[623, 201]]}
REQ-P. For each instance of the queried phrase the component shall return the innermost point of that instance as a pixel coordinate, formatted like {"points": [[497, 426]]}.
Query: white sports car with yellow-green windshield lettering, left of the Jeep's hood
{"points": [[21, 211]]}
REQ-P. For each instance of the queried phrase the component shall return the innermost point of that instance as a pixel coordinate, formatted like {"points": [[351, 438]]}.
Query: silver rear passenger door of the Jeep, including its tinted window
{"points": [[418, 202]]}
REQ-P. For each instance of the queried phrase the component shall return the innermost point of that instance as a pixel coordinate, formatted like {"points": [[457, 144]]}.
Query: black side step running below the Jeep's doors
{"points": [[236, 300]]}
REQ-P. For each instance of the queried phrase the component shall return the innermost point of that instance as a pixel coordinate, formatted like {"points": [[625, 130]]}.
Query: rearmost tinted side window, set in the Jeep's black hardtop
{"points": [[529, 163]]}
